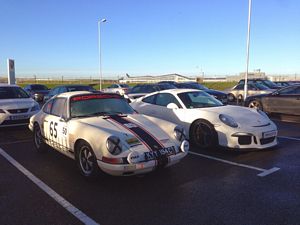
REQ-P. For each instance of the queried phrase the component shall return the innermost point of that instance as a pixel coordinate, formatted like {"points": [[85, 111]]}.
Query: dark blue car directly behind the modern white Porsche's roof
{"points": [[221, 96]]}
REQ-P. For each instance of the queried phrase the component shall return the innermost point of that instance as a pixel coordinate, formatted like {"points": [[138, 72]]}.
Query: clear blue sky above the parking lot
{"points": [[55, 38]]}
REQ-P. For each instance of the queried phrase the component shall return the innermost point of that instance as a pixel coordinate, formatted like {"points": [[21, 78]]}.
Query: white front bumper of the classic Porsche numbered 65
{"points": [[138, 168]]}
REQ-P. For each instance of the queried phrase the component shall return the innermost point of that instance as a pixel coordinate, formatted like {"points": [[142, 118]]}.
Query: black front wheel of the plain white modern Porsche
{"points": [[203, 134]]}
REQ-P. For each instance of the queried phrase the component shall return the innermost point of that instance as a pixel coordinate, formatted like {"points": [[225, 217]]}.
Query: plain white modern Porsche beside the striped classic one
{"points": [[208, 122]]}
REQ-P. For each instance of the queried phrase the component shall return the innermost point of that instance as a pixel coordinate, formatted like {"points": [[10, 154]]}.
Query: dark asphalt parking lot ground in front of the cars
{"points": [[207, 187]]}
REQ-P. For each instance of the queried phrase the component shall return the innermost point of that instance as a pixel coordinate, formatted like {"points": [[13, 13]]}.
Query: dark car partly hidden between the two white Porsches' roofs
{"points": [[143, 89]]}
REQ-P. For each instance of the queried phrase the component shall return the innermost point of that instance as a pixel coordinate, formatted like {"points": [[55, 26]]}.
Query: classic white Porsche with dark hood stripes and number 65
{"points": [[102, 130]]}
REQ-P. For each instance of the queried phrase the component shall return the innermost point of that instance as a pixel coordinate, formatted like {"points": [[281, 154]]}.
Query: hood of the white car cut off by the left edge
{"points": [[17, 103]]}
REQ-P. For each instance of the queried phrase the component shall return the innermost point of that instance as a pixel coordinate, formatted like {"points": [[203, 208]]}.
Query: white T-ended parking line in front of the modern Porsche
{"points": [[263, 173]]}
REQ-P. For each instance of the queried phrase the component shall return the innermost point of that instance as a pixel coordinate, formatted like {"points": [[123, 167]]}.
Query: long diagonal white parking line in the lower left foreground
{"points": [[63, 202]]}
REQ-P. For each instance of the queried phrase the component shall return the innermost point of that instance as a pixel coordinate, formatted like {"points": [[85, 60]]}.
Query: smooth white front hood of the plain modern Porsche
{"points": [[242, 115]]}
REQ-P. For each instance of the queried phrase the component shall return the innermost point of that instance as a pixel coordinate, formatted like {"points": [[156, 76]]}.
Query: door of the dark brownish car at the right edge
{"points": [[285, 101]]}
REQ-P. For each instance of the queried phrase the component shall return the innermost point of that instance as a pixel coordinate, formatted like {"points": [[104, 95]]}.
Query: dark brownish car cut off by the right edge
{"points": [[283, 101]]}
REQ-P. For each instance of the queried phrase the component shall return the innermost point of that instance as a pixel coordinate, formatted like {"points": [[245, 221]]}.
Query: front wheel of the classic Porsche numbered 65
{"points": [[86, 160]]}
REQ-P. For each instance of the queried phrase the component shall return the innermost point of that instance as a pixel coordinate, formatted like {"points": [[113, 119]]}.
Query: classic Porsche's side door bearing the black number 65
{"points": [[56, 126]]}
